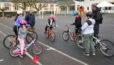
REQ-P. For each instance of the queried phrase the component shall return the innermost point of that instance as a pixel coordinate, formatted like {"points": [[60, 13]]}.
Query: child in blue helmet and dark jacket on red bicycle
{"points": [[77, 22]]}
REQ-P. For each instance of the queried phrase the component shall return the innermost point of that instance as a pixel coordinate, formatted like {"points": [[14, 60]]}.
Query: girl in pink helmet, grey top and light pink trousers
{"points": [[21, 35]]}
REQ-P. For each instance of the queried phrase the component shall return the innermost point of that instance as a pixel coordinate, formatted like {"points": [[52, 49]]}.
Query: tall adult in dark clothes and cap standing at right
{"points": [[98, 18]]}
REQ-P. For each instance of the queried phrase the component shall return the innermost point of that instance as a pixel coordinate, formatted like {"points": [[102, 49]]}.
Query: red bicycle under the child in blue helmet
{"points": [[77, 38]]}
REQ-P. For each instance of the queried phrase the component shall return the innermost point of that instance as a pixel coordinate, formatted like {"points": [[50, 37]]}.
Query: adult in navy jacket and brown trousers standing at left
{"points": [[30, 18]]}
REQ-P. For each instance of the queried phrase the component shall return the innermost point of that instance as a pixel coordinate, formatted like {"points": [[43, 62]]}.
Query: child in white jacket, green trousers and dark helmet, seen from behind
{"points": [[88, 31]]}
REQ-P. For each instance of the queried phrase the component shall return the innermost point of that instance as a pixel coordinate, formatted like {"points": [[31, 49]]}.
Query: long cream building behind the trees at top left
{"points": [[52, 6]]}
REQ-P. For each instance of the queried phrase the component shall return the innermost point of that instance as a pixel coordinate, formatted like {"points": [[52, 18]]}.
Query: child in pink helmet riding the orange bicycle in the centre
{"points": [[51, 23]]}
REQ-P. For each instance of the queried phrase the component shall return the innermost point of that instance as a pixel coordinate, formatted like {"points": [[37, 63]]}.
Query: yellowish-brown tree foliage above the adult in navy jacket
{"points": [[36, 4]]}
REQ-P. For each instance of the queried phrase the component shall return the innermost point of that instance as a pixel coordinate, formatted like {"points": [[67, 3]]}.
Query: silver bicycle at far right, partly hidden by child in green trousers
{"points": [[105, 46]]}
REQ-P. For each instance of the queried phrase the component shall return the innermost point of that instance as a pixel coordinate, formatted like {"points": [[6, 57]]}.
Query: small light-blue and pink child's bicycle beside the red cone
{"points": [[36, 49]]}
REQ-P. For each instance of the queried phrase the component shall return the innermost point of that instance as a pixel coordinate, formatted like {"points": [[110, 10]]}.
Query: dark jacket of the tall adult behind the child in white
{"points": [[97, 16]]}
